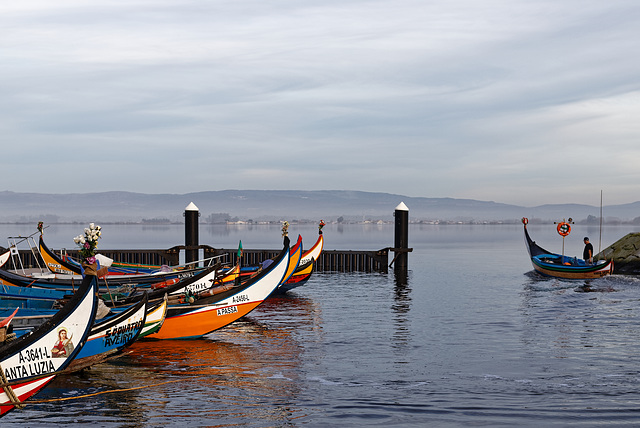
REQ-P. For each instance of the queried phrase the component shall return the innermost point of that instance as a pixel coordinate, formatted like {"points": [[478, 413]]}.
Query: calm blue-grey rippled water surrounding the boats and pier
{"points": [[472, 337]]}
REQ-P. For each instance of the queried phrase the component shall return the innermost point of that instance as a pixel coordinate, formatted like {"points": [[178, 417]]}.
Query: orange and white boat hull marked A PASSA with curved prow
{"points": [[207, 314]]}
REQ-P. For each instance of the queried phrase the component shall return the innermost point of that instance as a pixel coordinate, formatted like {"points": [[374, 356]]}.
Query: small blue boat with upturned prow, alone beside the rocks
{"points": [[560, 266]]}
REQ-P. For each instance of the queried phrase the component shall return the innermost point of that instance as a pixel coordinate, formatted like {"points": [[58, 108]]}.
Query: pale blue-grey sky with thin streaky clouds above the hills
{"points": [[516, 101]]}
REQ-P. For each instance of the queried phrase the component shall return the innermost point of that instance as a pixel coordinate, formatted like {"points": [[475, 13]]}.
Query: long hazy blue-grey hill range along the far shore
{"points": [[270, 205]]}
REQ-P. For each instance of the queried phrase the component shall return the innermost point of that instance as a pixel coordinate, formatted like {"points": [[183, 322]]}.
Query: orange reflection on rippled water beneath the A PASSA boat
{"points": [[240, 348]]}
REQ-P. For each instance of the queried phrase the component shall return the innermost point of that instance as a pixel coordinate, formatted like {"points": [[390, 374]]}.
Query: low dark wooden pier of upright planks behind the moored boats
{"points": [[329, 261]]}
